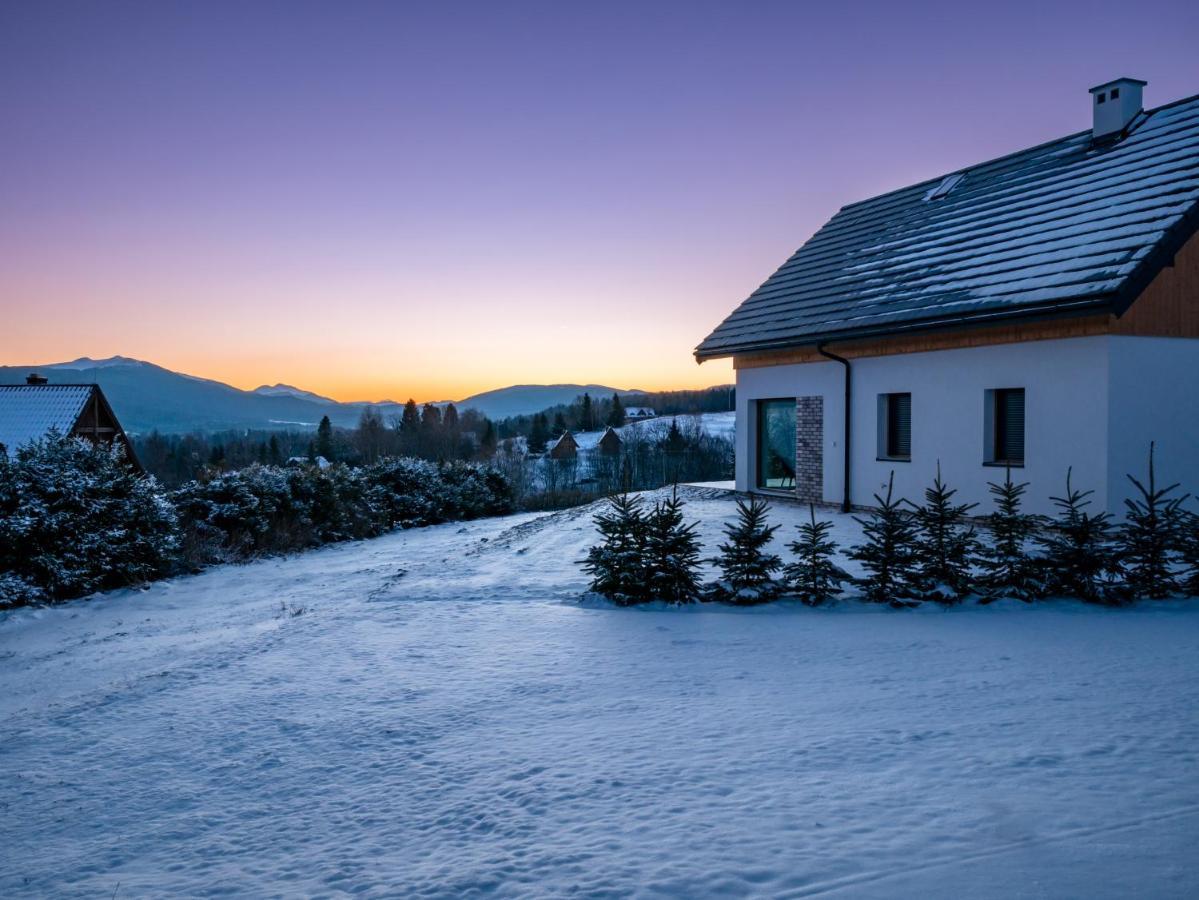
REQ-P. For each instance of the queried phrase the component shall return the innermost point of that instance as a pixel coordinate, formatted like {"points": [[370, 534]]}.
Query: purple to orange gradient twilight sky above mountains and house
{"points": [[396, 200]]}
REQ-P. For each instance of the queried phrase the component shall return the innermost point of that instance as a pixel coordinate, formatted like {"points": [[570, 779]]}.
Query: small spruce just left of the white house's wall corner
{"points": [[1076, 547]]}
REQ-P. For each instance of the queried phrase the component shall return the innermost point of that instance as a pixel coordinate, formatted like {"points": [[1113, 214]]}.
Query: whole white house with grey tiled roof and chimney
{"points": [[1039, 311]]}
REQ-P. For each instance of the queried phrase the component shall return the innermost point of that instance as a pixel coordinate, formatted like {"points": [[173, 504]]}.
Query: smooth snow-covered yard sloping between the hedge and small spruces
{"points": [[435, 715]]}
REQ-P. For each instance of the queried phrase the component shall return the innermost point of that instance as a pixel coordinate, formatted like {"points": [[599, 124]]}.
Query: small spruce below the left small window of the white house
{"points": [[889, 552]]}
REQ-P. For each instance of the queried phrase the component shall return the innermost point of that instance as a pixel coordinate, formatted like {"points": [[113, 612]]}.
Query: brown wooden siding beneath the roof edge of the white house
{"points": [[1168, 309]]}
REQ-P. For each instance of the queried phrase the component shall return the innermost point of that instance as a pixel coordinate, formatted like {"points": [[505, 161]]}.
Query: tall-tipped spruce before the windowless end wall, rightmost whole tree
{"points": [[1149, 539]]}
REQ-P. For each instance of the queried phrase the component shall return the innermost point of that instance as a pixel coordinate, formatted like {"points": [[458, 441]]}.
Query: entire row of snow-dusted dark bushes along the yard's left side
{"points": [[75, 518]]}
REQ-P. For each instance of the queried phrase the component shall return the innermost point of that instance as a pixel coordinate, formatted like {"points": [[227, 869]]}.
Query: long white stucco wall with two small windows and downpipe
{"points": [[1068, 409]]}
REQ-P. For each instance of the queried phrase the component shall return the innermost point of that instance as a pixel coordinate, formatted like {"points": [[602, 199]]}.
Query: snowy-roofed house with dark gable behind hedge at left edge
{"points": [[29, 412]]}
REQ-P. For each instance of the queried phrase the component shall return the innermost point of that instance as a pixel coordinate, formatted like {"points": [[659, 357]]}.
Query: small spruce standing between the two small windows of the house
{"points": [[947, 546]]}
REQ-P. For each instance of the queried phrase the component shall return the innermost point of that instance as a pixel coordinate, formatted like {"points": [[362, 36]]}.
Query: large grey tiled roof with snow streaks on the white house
{"points": [[1063, 228]]}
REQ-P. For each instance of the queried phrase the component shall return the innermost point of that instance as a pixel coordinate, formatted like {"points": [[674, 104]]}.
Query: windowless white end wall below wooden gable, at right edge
{"points": [[1154, 397]]}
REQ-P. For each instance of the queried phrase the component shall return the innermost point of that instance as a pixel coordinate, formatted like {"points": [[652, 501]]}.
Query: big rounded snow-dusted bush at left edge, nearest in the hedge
{"points": [[76, 518]]}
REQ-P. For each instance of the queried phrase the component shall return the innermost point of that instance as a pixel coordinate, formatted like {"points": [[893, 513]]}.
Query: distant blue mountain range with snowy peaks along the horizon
{"points": [[147, 397]]}
